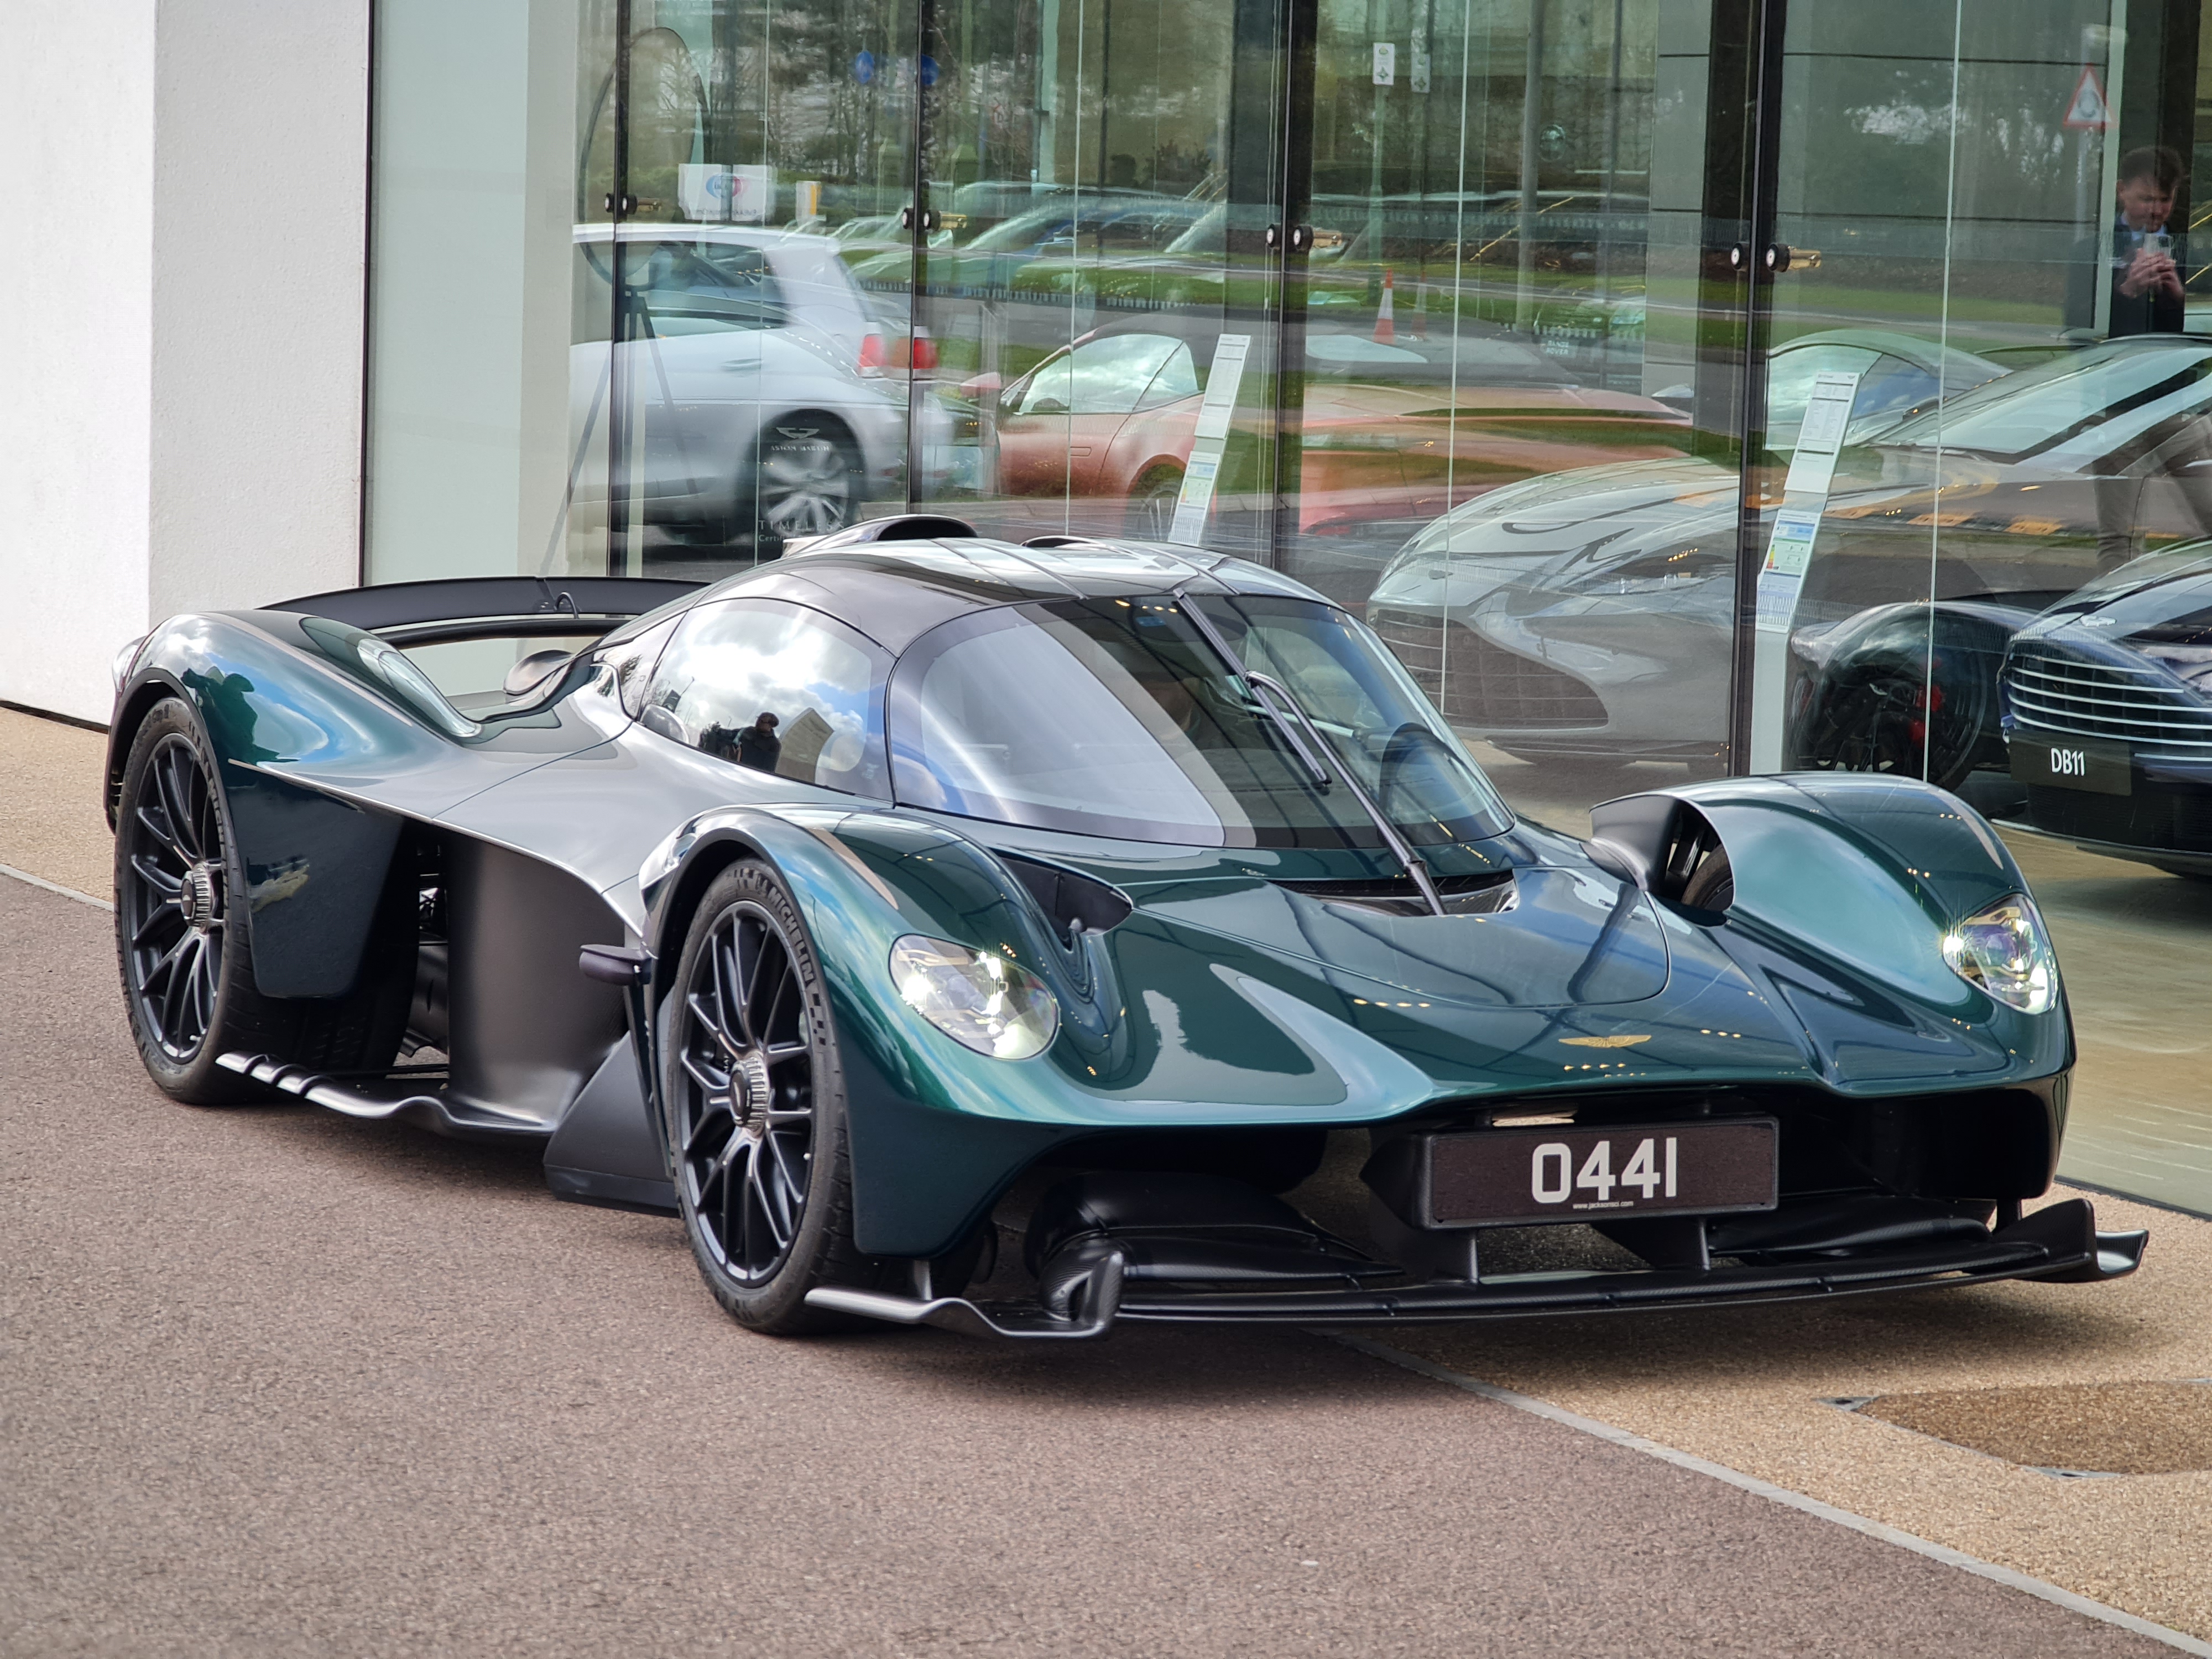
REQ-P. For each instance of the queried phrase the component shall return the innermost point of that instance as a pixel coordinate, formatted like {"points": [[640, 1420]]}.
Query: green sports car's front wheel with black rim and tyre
{"points": [[758, 1109]]}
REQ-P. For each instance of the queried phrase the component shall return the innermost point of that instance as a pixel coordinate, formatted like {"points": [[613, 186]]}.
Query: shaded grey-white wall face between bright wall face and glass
{"points": [[258, 291]]}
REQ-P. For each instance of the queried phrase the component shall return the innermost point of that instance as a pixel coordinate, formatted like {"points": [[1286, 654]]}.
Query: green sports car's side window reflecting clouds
{"points": [[742, 660]]}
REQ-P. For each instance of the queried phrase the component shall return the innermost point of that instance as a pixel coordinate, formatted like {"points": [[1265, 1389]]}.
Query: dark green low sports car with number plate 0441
{"points": [[926, 890]]}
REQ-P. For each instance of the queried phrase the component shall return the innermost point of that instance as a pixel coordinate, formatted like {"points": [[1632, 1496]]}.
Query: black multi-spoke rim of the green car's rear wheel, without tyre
{"points": [[174, 899]]}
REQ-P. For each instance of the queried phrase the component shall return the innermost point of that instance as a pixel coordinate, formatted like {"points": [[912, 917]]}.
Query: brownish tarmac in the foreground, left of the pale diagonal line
{"points": [[280, 1384]]}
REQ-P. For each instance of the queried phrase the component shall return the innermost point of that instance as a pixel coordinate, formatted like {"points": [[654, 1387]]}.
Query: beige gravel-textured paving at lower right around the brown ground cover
{"points": [[1753, 1390]]}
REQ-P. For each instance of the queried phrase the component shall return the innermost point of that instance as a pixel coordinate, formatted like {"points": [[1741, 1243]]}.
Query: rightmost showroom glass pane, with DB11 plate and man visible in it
{"points": [[1990, 532]]}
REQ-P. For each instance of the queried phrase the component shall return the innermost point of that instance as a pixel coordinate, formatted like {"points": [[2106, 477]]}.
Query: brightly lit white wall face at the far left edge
{"points": [[76, 340]]}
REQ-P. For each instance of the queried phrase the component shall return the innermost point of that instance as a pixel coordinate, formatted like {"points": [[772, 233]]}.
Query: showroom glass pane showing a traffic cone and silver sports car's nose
{"points": [[1525, 486]]}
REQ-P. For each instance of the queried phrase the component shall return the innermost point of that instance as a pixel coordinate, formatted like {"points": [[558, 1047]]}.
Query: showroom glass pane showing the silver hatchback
{"points": [[762, 386]]}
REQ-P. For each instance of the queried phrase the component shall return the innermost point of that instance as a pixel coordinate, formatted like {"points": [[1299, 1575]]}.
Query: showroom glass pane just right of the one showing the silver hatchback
{"points": [[1098, 275]]}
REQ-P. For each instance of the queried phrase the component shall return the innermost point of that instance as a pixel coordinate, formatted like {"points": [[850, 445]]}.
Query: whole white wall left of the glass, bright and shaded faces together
{"points": [[180, 320]]}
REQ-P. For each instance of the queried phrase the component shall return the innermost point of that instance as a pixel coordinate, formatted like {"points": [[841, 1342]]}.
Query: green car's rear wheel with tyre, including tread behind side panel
{"points": [[185, 950]]}
